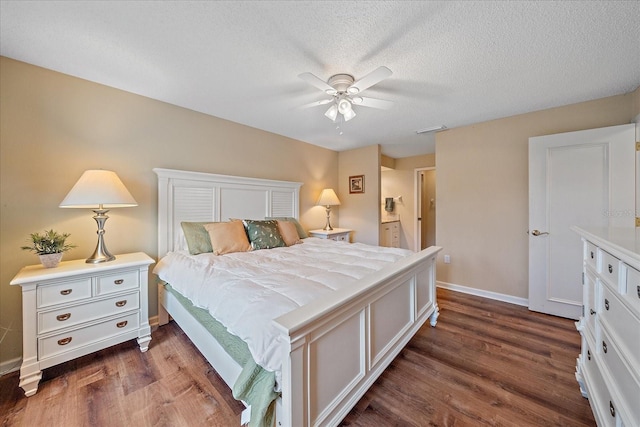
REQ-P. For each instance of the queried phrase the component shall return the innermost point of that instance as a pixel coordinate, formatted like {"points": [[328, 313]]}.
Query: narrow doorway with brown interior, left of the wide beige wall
{"points": [[425, 212]]}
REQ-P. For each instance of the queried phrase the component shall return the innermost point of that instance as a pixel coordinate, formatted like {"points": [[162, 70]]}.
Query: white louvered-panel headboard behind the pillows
{"points": [[198, 196]]}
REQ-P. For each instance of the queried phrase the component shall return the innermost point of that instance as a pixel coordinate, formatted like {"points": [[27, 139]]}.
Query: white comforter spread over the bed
{"points": [[245, 291]]}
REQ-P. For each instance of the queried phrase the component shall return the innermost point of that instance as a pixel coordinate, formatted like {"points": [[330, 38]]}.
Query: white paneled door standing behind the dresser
{"points": [[584, 178]]}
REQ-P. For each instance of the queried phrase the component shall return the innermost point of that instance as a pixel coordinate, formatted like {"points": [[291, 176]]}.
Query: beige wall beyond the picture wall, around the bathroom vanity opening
{"points": [[401, 182]]}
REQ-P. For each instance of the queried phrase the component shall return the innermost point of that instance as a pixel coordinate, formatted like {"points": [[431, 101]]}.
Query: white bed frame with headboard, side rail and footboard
{"points": [[334, 348]]}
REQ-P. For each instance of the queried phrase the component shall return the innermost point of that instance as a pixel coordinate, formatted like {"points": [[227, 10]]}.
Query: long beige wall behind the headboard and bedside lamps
{"points": [[53, 127]]}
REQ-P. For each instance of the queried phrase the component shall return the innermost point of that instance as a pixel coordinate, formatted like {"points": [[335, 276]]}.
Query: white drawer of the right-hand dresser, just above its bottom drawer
{"points": [[627, 386]]}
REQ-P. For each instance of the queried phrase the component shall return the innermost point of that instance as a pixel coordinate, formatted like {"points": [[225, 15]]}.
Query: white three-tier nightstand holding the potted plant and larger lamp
{"points": [[78, 308]]}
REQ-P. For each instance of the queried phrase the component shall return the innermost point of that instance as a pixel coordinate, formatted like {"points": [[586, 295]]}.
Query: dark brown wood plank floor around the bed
{"points": [[486, 363]]}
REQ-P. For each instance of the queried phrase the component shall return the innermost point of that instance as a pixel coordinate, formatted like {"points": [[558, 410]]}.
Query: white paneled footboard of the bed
{"points": [[337, 347]]}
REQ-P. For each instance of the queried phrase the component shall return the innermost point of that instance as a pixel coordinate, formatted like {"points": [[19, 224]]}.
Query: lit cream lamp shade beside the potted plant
{"points": [[97, 188]]}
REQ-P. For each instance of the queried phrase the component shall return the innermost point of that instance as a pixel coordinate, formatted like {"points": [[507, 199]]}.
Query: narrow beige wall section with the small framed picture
{"points": [[360, 211]]}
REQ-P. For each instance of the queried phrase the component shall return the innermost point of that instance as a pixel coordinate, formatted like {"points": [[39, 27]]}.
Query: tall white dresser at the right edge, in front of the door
{"points": [[608, 368]]}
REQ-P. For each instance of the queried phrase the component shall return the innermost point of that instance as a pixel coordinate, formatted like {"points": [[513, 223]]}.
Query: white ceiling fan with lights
{"points": [[345, 92]]}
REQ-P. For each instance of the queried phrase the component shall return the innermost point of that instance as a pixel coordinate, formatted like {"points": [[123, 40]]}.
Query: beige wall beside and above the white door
{"points": [[482, 189]]}
